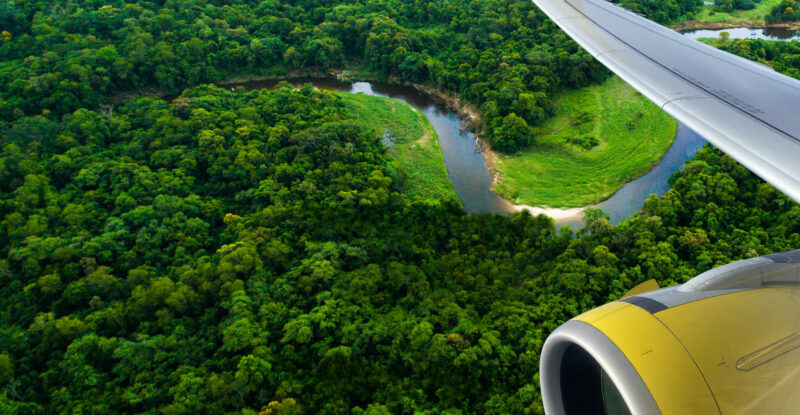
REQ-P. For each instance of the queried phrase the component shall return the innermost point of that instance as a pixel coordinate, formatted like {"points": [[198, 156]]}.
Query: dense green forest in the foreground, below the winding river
{"points": [[243, 252]]}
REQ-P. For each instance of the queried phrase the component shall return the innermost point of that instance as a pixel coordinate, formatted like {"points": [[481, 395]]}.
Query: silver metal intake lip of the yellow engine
{"points": [[630, 385]]}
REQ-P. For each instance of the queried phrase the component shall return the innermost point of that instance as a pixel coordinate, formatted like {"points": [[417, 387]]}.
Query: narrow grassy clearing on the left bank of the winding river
{"points": [[415, 146]]}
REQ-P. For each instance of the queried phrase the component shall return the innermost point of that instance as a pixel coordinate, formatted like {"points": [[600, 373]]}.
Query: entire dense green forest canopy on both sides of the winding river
{"points": [[258, 253]]}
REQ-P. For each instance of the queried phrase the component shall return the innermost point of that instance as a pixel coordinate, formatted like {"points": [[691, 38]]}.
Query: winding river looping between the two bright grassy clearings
{"points": [[466, 165]]}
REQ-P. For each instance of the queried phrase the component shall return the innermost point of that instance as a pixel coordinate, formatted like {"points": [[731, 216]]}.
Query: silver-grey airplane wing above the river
{"points": [[746, 109]]}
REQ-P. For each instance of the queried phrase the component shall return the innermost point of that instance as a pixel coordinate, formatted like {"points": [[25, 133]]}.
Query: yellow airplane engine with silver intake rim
{"points": [[723, 343]]}
